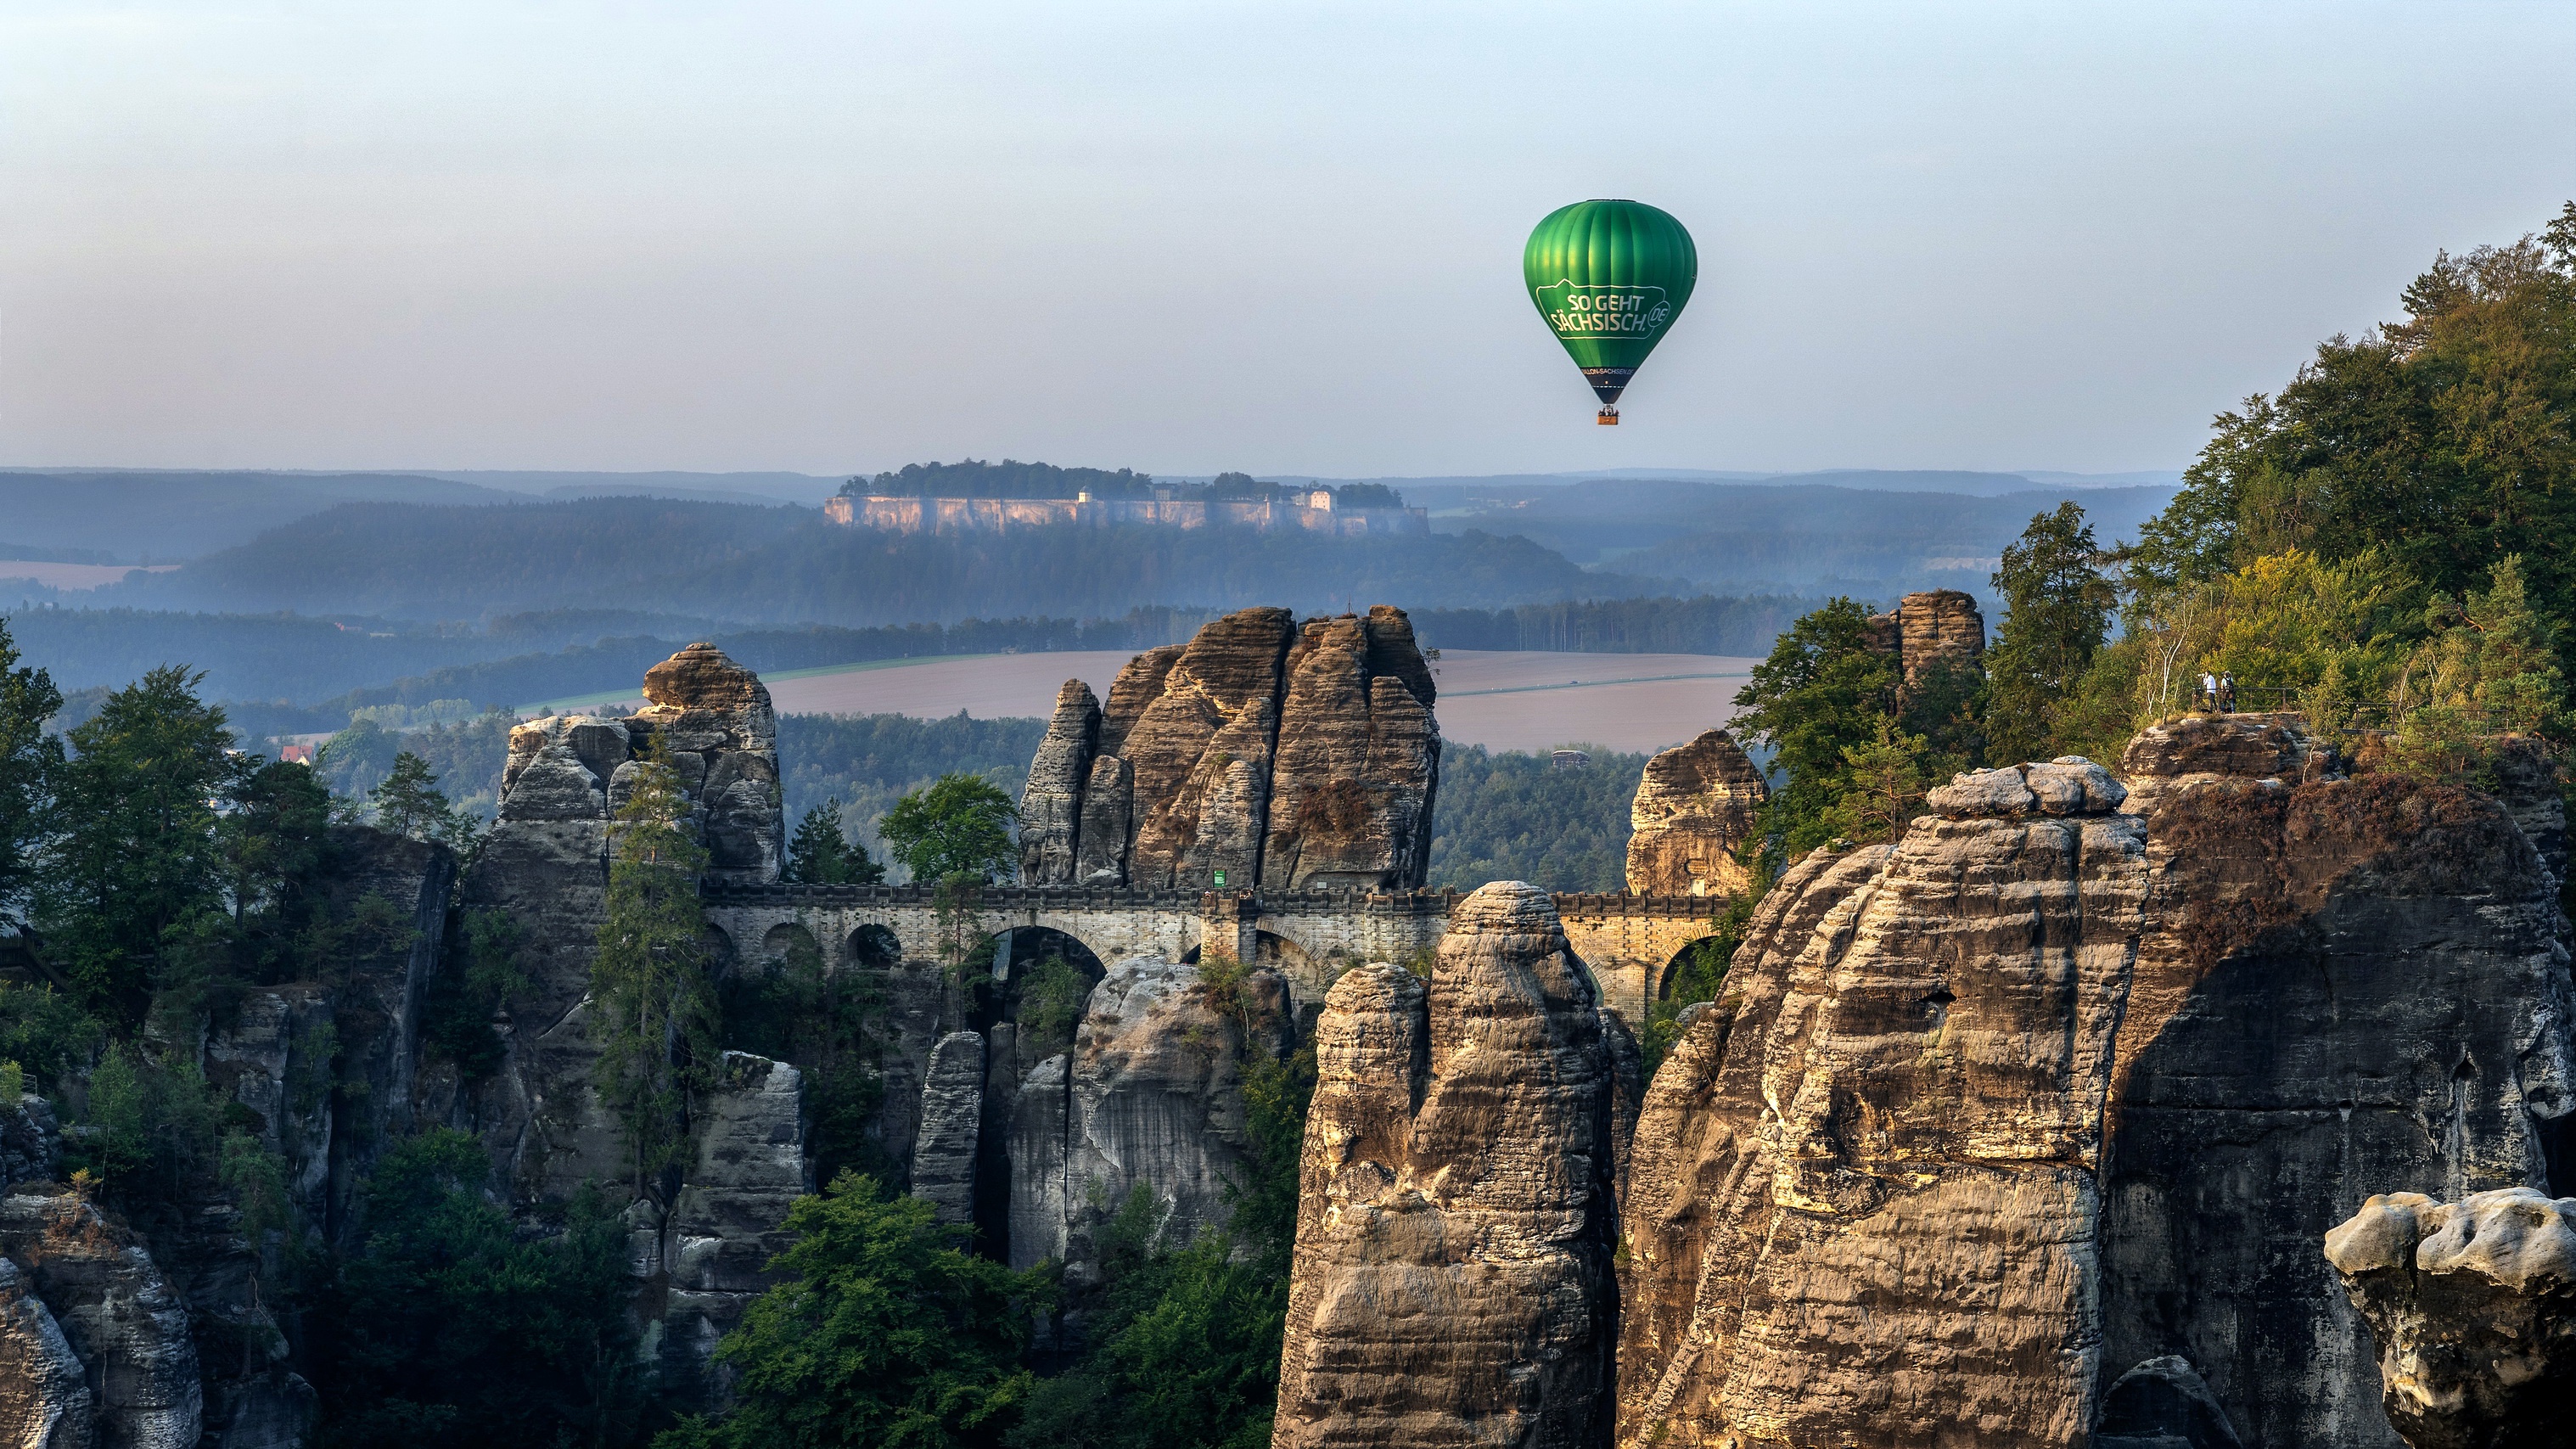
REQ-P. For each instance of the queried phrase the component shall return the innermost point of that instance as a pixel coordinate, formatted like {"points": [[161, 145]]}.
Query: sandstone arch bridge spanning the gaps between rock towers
{"points": [[1629, 942]]}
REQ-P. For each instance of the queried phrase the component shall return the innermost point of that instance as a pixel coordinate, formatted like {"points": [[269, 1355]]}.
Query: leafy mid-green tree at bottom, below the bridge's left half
{"points": [[885, 1332]]}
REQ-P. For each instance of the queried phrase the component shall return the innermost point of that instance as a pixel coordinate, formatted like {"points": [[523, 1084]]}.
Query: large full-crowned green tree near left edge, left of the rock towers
{"points": [[135, 870]]}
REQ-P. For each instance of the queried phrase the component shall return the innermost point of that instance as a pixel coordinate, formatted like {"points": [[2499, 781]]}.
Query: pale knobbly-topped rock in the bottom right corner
{"points": [[2474, 1311]]}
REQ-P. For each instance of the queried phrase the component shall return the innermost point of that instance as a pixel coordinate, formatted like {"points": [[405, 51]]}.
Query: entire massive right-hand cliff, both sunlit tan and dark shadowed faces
{"points": [[1998, 1131]]}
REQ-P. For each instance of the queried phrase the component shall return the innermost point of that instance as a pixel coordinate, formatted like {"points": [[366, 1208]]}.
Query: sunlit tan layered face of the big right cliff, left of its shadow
{"points": [[1864, 1195]]}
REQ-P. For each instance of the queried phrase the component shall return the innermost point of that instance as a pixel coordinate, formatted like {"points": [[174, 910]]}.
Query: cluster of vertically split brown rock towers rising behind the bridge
{"points": [[1276, 754]]}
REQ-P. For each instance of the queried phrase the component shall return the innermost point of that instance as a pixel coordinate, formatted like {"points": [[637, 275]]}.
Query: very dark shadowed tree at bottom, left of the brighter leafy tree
{"points": [[452, 1327]]}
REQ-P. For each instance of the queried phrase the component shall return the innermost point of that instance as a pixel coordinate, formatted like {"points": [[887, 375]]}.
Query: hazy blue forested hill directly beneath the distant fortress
{"points": [[787, 566]]}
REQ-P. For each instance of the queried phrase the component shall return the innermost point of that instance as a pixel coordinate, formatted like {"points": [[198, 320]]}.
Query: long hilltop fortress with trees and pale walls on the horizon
{"points": [[975, 496]]}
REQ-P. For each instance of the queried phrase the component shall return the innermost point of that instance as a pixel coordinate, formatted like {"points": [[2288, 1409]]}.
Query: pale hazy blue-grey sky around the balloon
{"points": [[1199, 236]]}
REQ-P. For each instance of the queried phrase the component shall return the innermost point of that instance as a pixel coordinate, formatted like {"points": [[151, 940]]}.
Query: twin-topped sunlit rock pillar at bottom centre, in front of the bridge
{"points": [[1457, 1216]]}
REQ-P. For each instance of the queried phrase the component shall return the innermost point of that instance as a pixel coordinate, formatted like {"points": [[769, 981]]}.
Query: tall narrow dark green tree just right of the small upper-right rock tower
{"points": [[2060, 610]]}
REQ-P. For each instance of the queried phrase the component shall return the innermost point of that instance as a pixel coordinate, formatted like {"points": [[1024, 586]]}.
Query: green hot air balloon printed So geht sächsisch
{"points": [[1609, 277]]}
